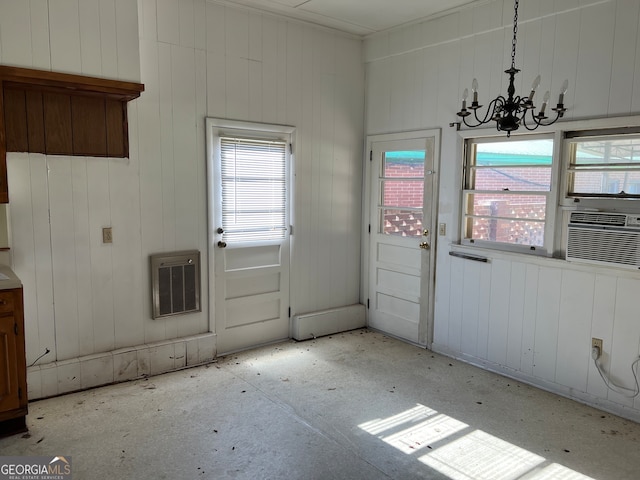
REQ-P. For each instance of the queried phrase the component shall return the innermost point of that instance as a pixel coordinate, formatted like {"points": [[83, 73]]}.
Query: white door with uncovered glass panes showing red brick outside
{"points": [[401, 238]]}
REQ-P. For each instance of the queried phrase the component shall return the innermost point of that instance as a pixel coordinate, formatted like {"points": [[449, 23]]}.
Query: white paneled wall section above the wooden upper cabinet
{"points": [[91, 37]]}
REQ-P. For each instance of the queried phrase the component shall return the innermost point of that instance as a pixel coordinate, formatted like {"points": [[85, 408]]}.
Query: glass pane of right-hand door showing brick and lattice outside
{"points": [[402, 190]]}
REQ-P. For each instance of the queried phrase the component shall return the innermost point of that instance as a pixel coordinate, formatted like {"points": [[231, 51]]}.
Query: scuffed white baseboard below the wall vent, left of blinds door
{"points": [[56, 378]]}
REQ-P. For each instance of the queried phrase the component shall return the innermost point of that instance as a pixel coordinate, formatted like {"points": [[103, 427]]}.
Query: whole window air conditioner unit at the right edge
{"points": [[604, 238]]}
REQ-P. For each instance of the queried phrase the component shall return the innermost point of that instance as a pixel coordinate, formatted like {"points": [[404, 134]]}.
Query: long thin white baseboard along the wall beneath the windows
{"points": [[582, 397]]}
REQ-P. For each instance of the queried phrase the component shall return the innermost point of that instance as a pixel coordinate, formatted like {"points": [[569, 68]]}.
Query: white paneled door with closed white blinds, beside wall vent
{"points": [[249, 234]]}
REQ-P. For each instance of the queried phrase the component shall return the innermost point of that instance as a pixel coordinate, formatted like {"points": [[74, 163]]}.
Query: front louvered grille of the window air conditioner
{"points": [[610, 247]]}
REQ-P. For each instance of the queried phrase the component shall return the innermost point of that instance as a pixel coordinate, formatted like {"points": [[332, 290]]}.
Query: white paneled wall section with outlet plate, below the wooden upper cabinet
{"points": [[81, 295]]}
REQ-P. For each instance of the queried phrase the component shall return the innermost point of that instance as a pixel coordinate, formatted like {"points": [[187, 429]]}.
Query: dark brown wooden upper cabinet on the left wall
{"points": [[61, 114]]}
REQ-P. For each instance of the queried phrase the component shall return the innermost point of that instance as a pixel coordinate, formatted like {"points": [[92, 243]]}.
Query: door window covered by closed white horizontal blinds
{"points": [[253, 189]]}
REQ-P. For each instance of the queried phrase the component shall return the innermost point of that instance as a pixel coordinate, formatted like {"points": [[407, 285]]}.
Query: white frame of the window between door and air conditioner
{"points": [[485, 136]]}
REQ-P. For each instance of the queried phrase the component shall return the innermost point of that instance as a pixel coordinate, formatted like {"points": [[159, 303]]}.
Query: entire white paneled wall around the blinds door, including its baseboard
{"points": [[89, 303]]}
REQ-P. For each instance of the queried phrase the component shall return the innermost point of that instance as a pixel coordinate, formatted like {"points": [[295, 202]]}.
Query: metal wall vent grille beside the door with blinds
{"points": [[175, 283]]}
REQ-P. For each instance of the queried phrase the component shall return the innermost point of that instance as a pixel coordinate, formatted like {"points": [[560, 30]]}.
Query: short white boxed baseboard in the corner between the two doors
{"points": [[327, 322]]}
